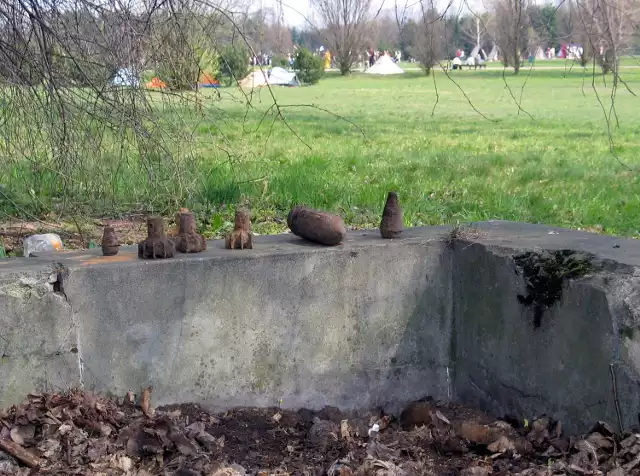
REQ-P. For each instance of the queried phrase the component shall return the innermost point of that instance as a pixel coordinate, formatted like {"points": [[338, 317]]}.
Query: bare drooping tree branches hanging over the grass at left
{"points": [[72, 139]]}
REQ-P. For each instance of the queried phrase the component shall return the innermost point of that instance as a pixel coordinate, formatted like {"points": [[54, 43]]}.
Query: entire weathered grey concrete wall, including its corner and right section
{"points": [[372, 322]]}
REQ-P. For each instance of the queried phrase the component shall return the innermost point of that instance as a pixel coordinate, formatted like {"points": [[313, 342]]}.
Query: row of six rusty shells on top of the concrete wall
{"points": [[312, 225]]}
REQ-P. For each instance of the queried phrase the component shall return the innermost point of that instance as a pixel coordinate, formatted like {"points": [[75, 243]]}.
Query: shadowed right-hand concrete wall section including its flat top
{"points": [[506, 365]]}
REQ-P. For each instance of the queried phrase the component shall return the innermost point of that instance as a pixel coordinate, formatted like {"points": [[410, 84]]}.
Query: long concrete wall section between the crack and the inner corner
{"points": [[367, 324]]}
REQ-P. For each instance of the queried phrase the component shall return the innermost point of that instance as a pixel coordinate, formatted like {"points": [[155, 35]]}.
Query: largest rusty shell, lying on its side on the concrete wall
{"points": [[319, 227]]}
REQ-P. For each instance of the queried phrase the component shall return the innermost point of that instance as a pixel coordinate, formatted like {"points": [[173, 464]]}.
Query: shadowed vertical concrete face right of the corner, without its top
{"points": [[506, 365]]}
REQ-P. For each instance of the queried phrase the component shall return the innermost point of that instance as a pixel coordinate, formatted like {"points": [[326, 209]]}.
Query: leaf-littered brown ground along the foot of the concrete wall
{"points": [[79, 433]]}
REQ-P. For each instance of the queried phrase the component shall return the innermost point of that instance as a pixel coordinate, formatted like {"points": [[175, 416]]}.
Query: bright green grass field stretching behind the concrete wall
{"points": [[548, 162]]}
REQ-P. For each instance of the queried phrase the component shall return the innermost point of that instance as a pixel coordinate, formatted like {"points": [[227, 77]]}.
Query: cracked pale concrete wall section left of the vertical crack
{"points": [[38, 336]]}
